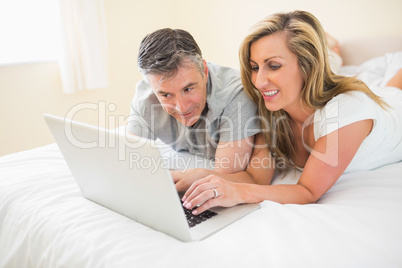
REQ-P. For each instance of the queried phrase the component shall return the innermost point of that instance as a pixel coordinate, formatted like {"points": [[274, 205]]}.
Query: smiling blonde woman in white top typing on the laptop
{"points": [[311, 118]]}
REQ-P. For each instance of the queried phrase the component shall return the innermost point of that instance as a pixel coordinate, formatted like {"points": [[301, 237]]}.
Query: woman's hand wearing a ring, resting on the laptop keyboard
{"points": [[212, 191]]}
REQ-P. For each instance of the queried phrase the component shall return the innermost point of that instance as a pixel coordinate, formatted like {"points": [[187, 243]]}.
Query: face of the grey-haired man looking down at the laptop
{"points": [[184, 95]]}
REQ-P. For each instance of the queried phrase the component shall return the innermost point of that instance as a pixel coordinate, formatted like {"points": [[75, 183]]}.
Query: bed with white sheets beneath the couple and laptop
{"points": [[46, 222]]}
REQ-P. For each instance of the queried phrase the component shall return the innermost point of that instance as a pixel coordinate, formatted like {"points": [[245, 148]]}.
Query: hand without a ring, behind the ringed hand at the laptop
{"points": [[184, 178]]}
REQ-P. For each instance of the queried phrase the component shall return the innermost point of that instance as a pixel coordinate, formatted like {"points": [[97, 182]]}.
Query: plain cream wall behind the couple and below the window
{"points": [[27, 91]]}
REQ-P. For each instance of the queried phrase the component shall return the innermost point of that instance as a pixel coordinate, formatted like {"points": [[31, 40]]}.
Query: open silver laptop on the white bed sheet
{"points": [[126, 174]]}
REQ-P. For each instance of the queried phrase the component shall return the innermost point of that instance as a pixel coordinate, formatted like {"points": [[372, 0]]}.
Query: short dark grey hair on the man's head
{"points": [[164, 51]]}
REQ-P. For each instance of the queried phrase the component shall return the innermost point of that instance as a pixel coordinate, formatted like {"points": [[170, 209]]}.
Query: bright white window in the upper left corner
{"points": [[29, 31]]}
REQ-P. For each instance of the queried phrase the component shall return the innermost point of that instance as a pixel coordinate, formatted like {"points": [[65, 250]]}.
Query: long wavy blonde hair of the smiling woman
{"points": [[305, 38]]}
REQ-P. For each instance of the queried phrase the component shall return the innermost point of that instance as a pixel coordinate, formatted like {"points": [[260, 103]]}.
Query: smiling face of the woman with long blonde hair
{"points": [[276, 73]]}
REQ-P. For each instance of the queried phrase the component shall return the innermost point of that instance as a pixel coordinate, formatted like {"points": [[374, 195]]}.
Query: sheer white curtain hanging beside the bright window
{"points": [[84, 63]]}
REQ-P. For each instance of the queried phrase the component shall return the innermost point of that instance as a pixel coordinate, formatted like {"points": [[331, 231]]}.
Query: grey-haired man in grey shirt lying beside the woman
{"points": [[190, 104]]}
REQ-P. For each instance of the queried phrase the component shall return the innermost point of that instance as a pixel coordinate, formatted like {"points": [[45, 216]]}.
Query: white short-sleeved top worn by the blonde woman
{"points": [[383, 145]]}
